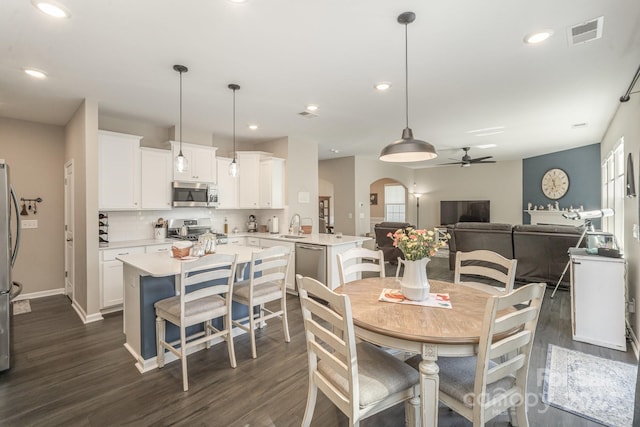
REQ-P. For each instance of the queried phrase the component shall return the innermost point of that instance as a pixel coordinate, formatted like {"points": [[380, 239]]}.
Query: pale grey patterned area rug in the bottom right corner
{"points": [[591, 387]]}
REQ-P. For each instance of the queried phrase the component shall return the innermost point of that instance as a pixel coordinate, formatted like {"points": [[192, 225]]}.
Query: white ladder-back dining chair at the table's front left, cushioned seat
{"points": [[358, 377]]}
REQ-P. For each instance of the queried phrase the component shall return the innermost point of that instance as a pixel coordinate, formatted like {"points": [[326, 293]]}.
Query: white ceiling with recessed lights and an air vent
{"points": [[468, 69]]}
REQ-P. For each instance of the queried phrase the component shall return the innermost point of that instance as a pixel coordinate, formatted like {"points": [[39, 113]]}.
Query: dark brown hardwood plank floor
{"points": [[67, 373]]}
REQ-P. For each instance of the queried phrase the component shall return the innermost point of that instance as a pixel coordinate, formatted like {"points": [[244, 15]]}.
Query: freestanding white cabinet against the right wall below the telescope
{"points": [[598, 299]]}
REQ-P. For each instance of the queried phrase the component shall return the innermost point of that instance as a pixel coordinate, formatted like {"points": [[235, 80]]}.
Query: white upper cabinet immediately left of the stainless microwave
{"points": [[156, 174]]}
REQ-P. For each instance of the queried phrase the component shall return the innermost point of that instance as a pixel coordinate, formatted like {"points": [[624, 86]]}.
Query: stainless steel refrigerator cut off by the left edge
{"points": [[8, 253]]}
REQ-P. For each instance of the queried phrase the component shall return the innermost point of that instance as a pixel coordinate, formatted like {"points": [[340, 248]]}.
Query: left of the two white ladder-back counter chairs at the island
{"points": [[206, 286]]}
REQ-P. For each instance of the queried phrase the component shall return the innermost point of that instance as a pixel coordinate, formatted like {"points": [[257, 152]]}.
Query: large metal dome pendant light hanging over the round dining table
{"points": [[407, 149]]}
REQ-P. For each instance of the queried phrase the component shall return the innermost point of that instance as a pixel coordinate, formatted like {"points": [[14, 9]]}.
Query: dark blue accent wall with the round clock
{"points": [[582, 165]]}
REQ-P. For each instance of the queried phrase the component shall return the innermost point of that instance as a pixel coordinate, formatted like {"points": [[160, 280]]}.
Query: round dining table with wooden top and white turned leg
{"points": [[428, 331]]}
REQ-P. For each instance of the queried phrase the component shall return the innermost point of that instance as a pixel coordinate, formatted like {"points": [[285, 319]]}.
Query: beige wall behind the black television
{"points": [[500, 182]]}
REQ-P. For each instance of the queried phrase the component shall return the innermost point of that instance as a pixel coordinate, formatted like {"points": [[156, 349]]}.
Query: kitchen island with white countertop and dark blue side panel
{"points": [[149, 278]]}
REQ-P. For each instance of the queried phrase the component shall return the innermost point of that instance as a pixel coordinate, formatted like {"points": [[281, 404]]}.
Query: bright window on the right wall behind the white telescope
{"points": [[613, 192]]}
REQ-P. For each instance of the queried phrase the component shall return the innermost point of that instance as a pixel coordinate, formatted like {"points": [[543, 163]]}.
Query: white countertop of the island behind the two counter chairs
{"points": [[160, 264]]}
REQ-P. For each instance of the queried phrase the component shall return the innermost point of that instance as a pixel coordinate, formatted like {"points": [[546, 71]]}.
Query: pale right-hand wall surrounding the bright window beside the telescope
{"points": [[626, 123]]}
